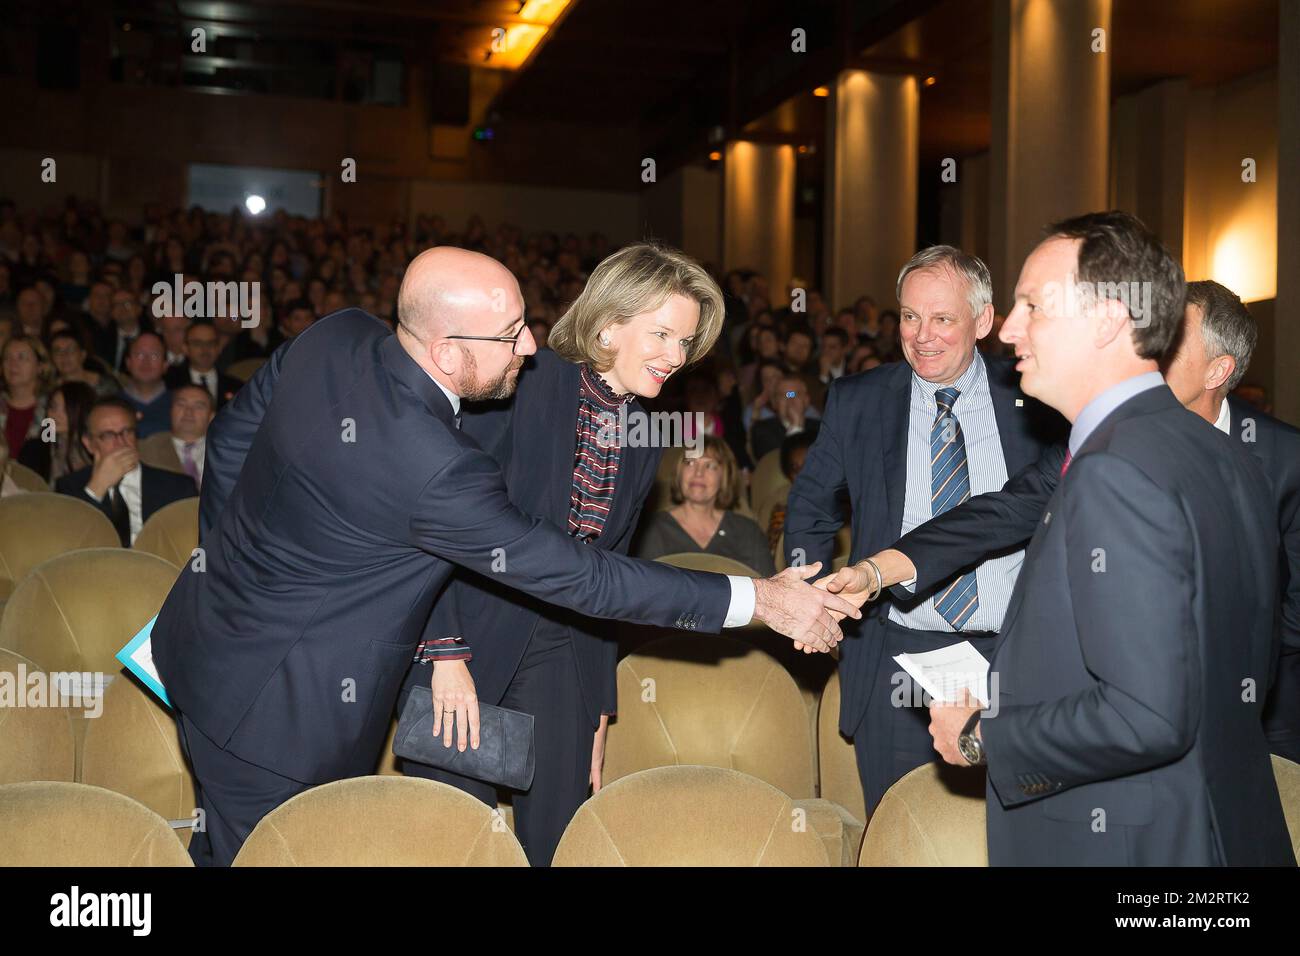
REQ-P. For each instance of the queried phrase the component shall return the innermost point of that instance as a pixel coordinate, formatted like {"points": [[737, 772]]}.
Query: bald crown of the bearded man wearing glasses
{"points": [[454, 292]]}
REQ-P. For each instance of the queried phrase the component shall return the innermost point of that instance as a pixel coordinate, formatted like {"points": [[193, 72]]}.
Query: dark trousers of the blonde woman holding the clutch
{"points": [[545, 686]]}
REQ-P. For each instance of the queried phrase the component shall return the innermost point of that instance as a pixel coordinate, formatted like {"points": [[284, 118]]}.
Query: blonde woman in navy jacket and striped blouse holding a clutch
{"points": [[645, 314]]}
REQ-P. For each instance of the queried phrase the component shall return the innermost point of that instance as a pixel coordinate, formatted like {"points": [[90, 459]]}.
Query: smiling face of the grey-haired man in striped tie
{"points": [[937, 327]]}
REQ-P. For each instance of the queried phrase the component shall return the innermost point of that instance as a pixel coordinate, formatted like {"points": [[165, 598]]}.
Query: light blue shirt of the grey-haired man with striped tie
{"points": [[987, 466]]}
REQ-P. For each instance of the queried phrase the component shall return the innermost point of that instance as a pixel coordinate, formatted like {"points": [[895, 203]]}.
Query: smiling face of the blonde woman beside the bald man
{"points": [[651, 347]]}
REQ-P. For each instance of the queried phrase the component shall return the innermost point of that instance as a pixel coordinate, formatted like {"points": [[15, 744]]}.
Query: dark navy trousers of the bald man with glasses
{"points": [[233, 795]]}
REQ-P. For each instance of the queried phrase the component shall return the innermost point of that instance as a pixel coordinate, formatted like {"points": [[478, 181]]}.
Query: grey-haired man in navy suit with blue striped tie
{"points": [[904, 443]]}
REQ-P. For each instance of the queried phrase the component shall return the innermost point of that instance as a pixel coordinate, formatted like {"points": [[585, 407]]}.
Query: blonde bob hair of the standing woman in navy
{"points": [[635, 280]]}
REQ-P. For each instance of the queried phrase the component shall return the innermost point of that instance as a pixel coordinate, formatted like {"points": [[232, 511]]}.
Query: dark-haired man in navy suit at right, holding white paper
{"points": [[1141, 638]]}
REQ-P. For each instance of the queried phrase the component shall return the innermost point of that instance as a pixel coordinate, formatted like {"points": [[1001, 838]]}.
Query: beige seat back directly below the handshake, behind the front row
{"points": [[720, 702]]}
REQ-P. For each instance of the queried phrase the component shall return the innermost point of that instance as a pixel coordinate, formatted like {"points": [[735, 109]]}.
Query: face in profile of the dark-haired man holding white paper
{"points": [[1050, 330]]}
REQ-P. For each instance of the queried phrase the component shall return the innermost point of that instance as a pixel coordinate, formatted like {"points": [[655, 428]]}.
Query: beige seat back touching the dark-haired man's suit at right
{"points": [[931, 817]]}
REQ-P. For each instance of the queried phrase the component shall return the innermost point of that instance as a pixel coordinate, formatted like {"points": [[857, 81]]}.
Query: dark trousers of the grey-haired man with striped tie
{"points": [[894, 737]]}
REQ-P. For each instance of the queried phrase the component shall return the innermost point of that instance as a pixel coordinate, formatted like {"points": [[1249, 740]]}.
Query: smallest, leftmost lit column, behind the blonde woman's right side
{"points": [[759, 213]]}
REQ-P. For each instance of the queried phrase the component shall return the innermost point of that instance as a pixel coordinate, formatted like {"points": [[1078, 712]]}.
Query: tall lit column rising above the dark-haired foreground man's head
{"points": [[1051, 126]]}
